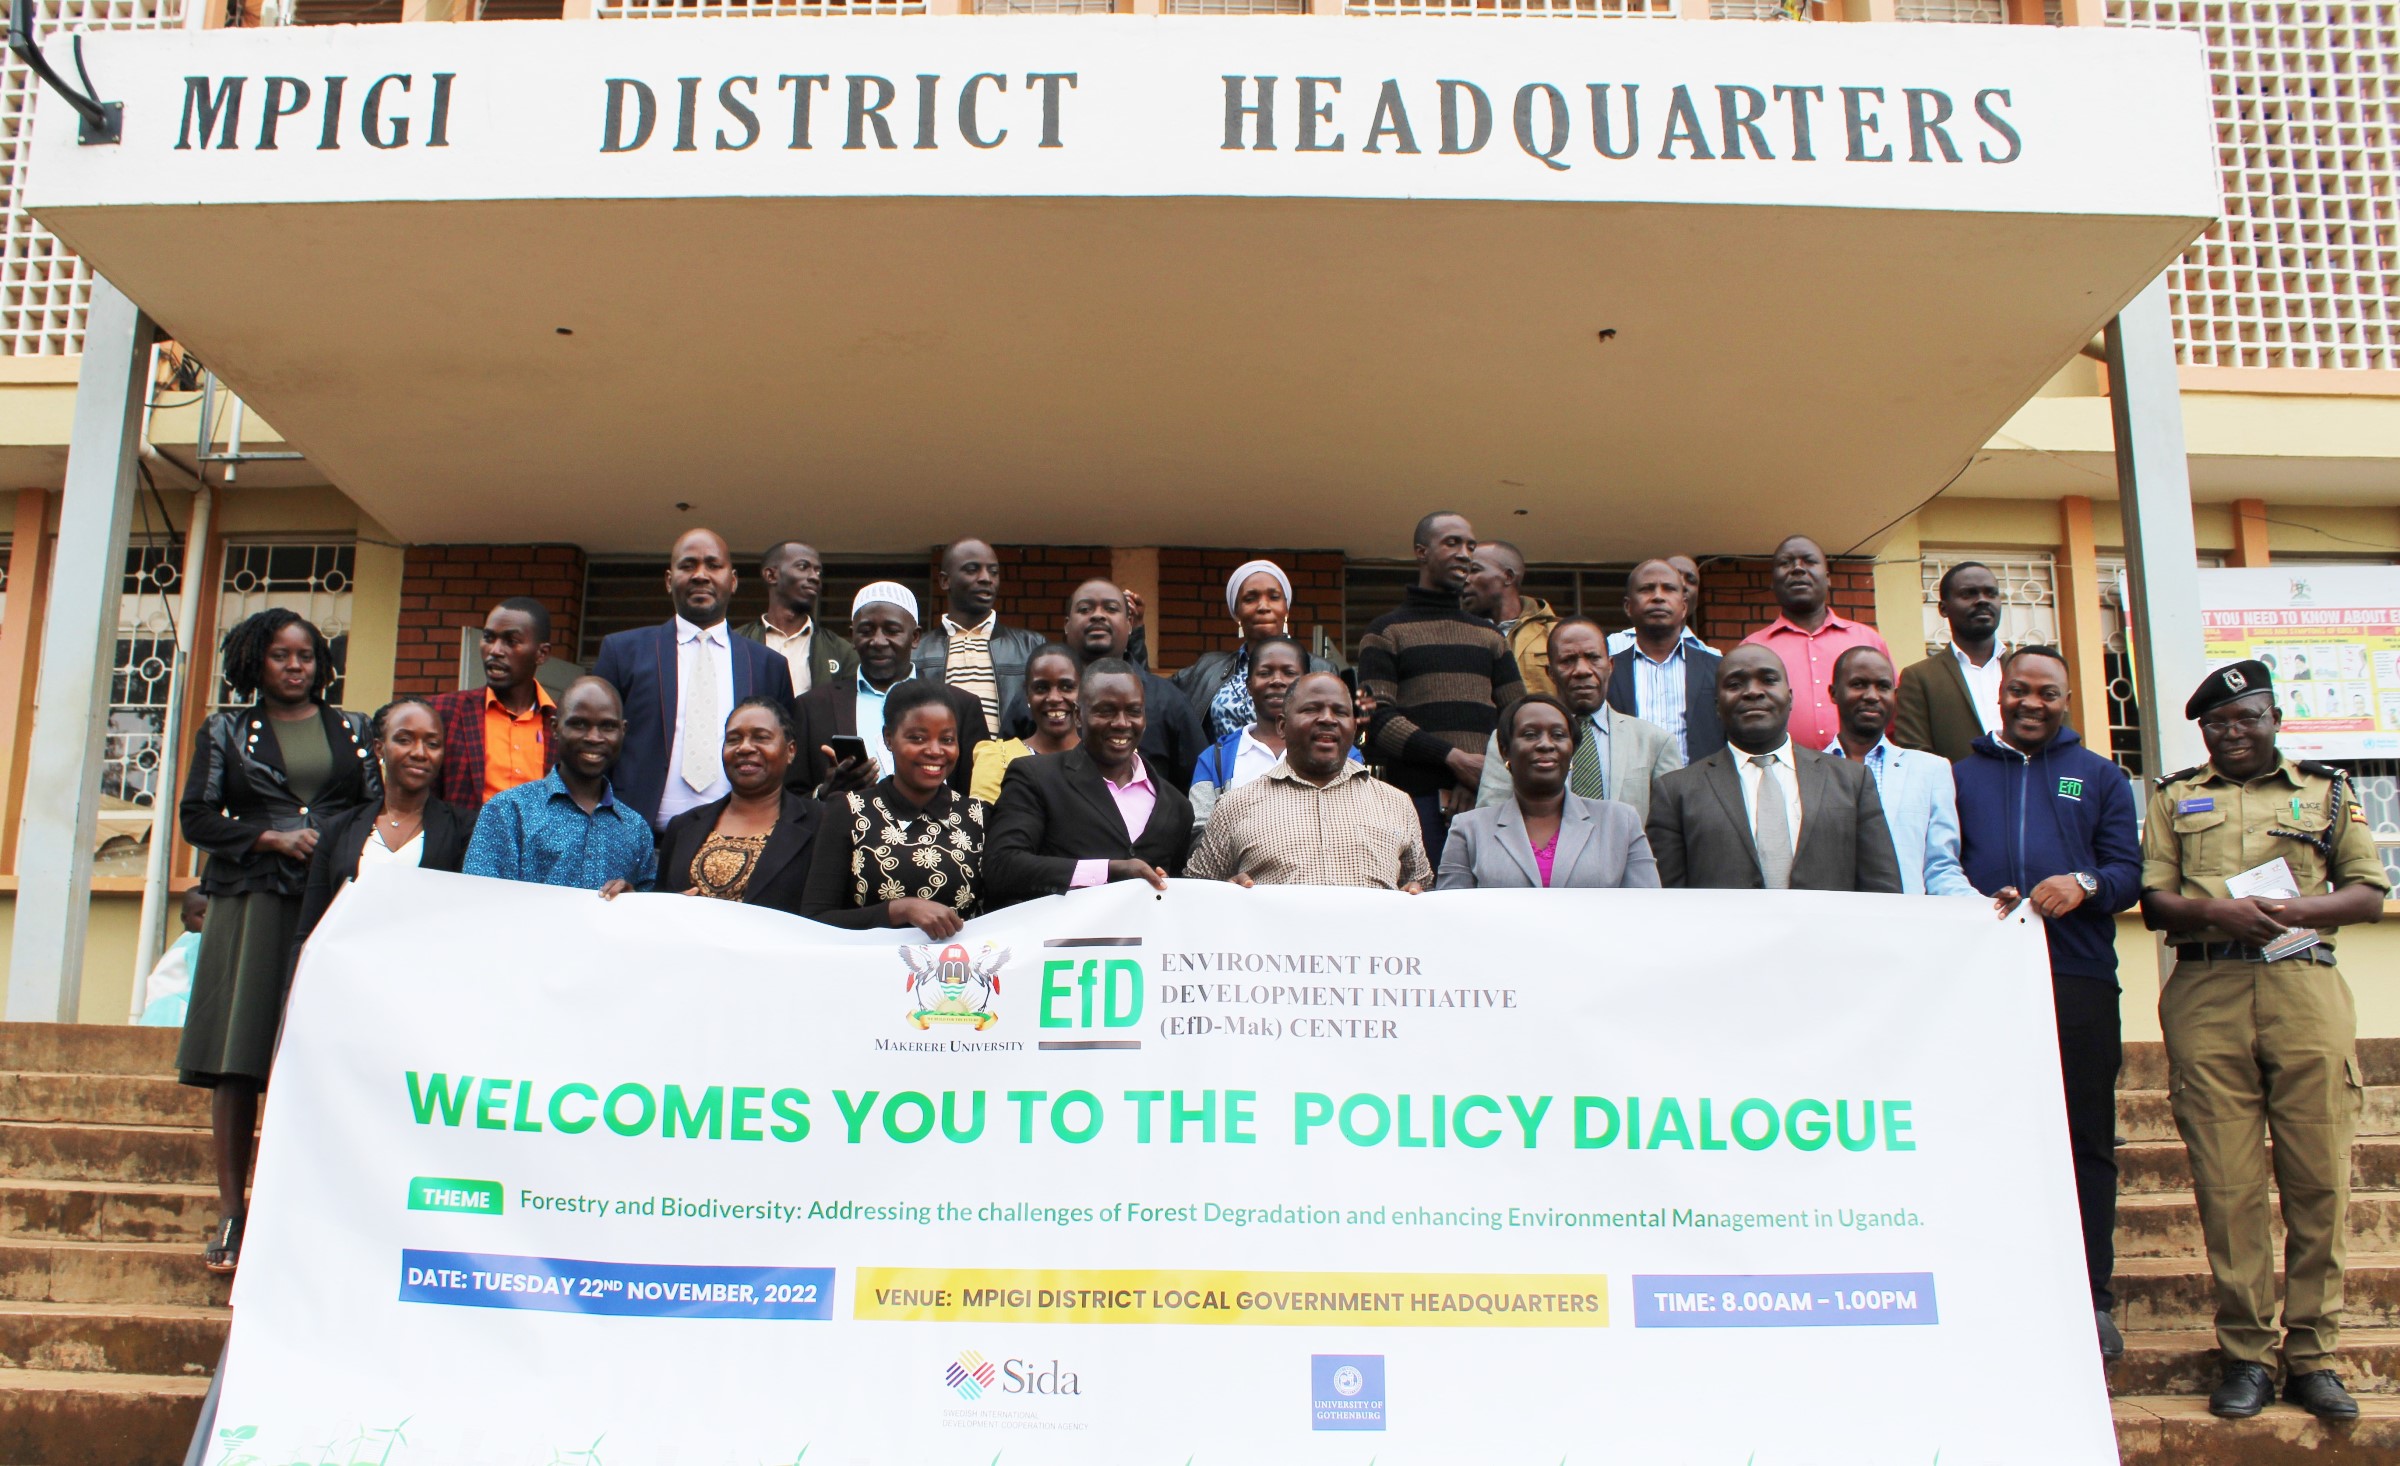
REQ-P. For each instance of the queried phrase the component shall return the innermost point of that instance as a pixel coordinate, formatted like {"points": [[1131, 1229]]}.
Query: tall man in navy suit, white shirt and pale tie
{"points": [[680, 680]]}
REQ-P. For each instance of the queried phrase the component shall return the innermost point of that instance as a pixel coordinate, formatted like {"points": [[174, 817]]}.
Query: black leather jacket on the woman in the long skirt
{"points": [[236, 793]]}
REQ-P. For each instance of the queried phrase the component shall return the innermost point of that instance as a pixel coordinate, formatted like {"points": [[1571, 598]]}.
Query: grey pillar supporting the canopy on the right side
{"points": [[2161, 555]]}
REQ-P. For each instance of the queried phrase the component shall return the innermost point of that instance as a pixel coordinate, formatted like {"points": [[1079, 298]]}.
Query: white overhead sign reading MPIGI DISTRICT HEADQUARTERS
{"points": [[1727, 114]]}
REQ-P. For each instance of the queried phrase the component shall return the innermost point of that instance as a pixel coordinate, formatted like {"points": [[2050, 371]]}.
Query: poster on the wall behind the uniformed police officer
{"points": [[2332, 635]]}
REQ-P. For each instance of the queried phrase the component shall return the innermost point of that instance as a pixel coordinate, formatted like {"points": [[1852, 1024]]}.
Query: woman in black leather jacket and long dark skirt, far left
{"points": [[265, 781]]}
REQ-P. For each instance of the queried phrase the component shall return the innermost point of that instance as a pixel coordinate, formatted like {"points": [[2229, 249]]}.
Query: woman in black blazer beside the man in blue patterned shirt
{"points": [[752, 846]]}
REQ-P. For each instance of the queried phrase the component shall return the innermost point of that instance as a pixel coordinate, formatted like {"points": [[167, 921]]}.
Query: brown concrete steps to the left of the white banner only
{"points": [[109, 1326]]}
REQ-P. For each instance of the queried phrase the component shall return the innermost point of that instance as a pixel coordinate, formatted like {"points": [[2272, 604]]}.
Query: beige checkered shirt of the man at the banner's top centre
{"points": [[1285, 831]]}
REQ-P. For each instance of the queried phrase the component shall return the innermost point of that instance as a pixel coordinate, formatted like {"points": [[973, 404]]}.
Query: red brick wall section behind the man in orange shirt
{"points": [[450, 587]]}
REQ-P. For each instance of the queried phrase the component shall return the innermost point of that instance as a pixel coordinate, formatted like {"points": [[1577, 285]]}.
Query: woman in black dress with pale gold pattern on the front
{"points": [[911, 851]]}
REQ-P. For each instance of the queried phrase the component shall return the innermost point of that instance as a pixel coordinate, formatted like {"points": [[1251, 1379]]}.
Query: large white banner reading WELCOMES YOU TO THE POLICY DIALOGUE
{"points": [[1228, 1177]]}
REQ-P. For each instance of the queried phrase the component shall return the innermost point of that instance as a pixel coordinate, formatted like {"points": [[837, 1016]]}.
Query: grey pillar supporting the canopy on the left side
{"points": [[78, 649]]}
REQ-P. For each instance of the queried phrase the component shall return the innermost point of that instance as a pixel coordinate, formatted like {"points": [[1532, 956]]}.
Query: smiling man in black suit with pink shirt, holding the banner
{"points": [[1091, 815]]}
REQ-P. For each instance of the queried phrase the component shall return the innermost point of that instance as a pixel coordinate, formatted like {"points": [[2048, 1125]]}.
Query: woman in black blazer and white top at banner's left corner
{"points": [[407, 829]]}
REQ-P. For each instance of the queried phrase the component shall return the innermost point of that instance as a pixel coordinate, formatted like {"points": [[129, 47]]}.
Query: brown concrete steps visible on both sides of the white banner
{"points": [[109, 1328]]}
